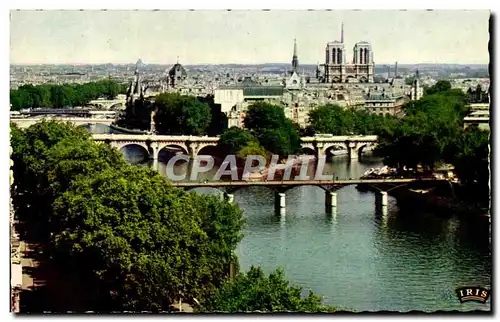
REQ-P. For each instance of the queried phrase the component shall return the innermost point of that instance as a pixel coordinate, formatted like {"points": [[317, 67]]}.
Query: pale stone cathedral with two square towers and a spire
{"points": [[337, 69]]}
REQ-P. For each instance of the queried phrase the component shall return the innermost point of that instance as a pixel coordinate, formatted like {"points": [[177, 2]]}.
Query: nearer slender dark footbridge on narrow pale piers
{"points": [[380, 186]]}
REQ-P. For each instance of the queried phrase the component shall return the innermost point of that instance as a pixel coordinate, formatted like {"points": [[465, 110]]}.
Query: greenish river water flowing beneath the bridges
{"points": [[359, 258]]}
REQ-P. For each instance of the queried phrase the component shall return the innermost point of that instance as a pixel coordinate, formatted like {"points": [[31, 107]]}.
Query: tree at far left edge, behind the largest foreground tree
{"points": [[43, 155]]}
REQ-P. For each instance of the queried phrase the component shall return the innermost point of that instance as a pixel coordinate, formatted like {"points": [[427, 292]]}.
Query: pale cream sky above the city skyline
{"points": [[247, 37]]}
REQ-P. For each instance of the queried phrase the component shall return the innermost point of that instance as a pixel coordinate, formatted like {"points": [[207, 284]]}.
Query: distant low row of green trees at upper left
{"points": [[66, 95]]}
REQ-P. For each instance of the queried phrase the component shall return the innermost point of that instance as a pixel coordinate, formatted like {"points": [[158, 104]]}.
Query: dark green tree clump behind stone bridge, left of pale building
{"points": [[181, 114]]}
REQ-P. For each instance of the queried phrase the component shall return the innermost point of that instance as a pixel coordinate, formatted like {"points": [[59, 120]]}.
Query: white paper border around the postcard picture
{"points": [[190, 4]]}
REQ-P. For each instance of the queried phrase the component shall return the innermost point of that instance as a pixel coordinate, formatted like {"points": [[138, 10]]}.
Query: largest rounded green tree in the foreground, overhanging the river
{"points": [[143, 243]]}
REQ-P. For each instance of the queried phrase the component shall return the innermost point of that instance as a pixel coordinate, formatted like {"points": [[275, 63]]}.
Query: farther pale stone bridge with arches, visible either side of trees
{"points": [[192, 145]]}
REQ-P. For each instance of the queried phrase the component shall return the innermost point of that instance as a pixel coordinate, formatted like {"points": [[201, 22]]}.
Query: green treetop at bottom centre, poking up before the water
{"points": [[254, 291]]}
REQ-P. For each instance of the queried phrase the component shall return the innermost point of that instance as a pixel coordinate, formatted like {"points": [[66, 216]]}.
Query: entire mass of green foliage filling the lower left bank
{"points": [[134, 241]]}
